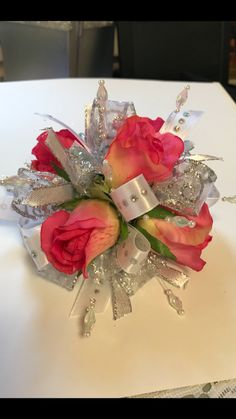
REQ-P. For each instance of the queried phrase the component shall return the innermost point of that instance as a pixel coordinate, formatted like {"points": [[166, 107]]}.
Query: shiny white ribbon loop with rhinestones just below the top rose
{"points": [[134, 198]]}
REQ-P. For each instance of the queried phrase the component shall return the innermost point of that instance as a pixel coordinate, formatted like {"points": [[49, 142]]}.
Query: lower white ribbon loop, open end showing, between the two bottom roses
{"points": [[132, 253]]}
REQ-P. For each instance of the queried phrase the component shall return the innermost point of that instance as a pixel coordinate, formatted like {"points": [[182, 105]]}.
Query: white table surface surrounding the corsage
{"points": [[41, 351]]}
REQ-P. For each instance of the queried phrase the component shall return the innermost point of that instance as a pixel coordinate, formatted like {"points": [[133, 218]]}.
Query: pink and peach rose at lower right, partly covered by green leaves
{"points": [[184, 242]]}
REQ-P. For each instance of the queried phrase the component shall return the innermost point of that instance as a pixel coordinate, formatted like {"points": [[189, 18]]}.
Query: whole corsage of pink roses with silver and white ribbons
{"points": [[109, 200]]}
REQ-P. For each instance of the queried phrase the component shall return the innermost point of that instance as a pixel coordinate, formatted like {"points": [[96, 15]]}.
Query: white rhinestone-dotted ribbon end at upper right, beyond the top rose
{"points": [[179, 123]]}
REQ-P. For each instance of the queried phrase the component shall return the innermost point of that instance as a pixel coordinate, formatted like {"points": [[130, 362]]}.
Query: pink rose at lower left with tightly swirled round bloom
{"points": [[72, 240]]}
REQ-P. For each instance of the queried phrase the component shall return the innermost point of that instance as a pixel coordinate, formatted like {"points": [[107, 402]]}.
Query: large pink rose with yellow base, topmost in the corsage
{"points": [[139, 148]]}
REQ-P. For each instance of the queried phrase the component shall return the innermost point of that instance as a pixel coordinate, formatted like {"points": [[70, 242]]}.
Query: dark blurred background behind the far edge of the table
{"points": [[158, 50]]}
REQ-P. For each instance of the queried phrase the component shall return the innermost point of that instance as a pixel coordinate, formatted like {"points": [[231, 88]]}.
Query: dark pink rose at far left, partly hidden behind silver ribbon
{"points": [[44, 156]]}
